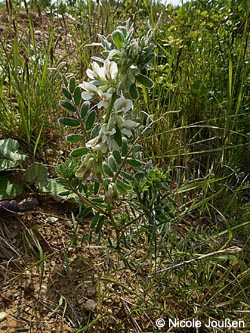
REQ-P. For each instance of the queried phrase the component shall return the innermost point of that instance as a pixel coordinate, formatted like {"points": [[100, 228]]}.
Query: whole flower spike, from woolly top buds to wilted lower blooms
{"points": [[110, 88]]}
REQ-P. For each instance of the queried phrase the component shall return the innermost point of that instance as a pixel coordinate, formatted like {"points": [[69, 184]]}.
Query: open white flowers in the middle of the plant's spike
{"points": [[103, 85]]}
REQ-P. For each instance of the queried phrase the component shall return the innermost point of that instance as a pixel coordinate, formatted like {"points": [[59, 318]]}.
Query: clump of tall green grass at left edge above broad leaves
{"points": [[28, 94]]}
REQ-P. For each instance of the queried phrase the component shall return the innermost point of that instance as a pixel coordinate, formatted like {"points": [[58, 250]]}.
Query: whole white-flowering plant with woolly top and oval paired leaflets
{"points": [[101, 114]]}
